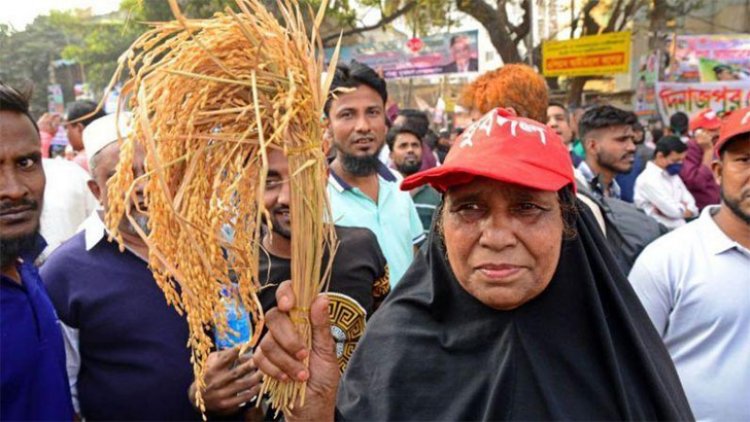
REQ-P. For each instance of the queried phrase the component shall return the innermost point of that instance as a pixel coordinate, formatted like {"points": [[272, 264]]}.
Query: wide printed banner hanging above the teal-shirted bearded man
{"points": [[434, 55]]}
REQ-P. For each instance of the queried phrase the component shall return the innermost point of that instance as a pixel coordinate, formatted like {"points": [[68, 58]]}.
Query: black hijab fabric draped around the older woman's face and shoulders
{"points": [[584, 349]]}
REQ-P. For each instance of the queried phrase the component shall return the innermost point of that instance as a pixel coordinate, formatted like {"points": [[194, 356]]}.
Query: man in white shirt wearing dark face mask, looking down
{"points": [[659, 191]]}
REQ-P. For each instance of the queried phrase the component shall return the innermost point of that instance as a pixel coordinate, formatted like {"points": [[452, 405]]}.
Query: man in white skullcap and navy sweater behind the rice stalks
{"points": [[126, 354]]}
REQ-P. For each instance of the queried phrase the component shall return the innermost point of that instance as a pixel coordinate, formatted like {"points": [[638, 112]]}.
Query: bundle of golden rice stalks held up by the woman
{"points": [[209, 98]]}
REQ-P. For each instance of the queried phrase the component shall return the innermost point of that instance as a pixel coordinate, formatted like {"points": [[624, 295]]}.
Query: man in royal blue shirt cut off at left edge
{"points": [[33, 385]]}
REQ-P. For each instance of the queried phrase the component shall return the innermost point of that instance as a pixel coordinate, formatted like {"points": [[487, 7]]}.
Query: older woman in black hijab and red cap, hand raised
{"points": [[516, 310]]}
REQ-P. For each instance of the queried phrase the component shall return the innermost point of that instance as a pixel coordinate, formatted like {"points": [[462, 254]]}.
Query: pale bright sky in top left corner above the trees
{"points": [[23, 12]]}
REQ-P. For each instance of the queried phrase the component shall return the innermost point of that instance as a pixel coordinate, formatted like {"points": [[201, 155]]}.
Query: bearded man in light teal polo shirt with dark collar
{"points": [[363, 192]]}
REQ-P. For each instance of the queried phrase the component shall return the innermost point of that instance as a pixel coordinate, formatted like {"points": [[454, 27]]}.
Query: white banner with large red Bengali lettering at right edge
{"points": [[691, 98]]}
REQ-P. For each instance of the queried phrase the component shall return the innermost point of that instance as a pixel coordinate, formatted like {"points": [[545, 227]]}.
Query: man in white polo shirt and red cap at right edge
{"points": [[695, 285]]}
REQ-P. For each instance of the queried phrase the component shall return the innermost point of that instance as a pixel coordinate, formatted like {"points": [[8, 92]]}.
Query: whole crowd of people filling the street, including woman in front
{"points": [[544, 262]]}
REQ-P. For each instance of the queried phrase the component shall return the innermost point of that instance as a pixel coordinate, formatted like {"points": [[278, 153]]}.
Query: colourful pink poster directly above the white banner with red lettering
{"points": [[709, 58]]}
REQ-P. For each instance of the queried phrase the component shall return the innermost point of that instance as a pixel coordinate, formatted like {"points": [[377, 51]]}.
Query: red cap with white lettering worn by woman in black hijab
{"points": [[504, 147]]}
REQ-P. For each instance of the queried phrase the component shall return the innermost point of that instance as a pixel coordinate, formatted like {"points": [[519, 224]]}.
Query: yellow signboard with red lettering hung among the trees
{"points": [[604, 54]]}
